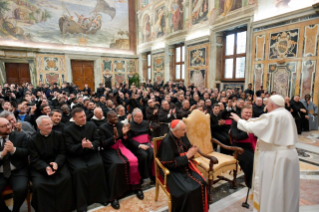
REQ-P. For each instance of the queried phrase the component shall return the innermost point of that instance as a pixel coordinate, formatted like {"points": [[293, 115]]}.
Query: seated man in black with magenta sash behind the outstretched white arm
{"points": [[247, 141]]}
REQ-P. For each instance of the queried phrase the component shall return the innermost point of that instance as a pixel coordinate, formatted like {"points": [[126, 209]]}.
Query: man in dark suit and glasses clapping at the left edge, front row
{"points": [[13, 164]]}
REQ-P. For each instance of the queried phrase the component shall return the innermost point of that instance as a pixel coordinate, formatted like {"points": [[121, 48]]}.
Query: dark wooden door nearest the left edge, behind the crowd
{"points": [[17, 73]]}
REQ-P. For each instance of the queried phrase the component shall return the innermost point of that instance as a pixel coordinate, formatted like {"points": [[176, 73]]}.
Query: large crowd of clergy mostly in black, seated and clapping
{"points": [[80, 147]]}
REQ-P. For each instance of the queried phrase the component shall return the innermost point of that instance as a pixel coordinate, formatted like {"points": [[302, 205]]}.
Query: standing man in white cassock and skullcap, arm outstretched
{"points": [[276, 164]]}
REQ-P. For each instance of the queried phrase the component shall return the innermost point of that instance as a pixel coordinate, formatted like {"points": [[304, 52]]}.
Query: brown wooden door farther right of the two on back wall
{"points": [[83, 73]]}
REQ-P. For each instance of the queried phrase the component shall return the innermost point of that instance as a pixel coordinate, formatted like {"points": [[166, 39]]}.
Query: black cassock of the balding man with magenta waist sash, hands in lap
{"points": [[145, 158]]}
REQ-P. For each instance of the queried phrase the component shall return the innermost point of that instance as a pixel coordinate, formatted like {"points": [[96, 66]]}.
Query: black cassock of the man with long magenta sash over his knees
{"points": [[116, 164]]}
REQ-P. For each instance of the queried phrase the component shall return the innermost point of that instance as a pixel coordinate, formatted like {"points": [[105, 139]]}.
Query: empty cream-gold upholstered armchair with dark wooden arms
{"points": [[199, 134]]}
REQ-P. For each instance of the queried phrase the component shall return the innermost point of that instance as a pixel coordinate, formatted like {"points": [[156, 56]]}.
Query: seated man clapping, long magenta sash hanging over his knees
{"points": [[121, 165]]}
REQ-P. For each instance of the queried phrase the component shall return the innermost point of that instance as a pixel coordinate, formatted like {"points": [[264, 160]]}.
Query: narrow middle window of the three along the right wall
{"points": [[179, 63]]}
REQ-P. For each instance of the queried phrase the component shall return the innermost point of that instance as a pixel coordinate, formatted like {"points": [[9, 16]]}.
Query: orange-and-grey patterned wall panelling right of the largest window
{"points": [[291, 65]]}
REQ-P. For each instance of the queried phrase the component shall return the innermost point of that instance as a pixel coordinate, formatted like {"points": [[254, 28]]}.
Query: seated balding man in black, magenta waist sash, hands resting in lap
{"points": [[139, 143]]}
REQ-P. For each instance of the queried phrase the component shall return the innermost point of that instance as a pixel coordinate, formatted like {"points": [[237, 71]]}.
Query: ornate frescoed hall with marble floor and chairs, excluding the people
{"points": [[262, 45]]}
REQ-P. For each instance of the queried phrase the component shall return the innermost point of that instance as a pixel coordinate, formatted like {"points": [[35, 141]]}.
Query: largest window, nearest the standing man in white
{"points": [[235, 55]]}
